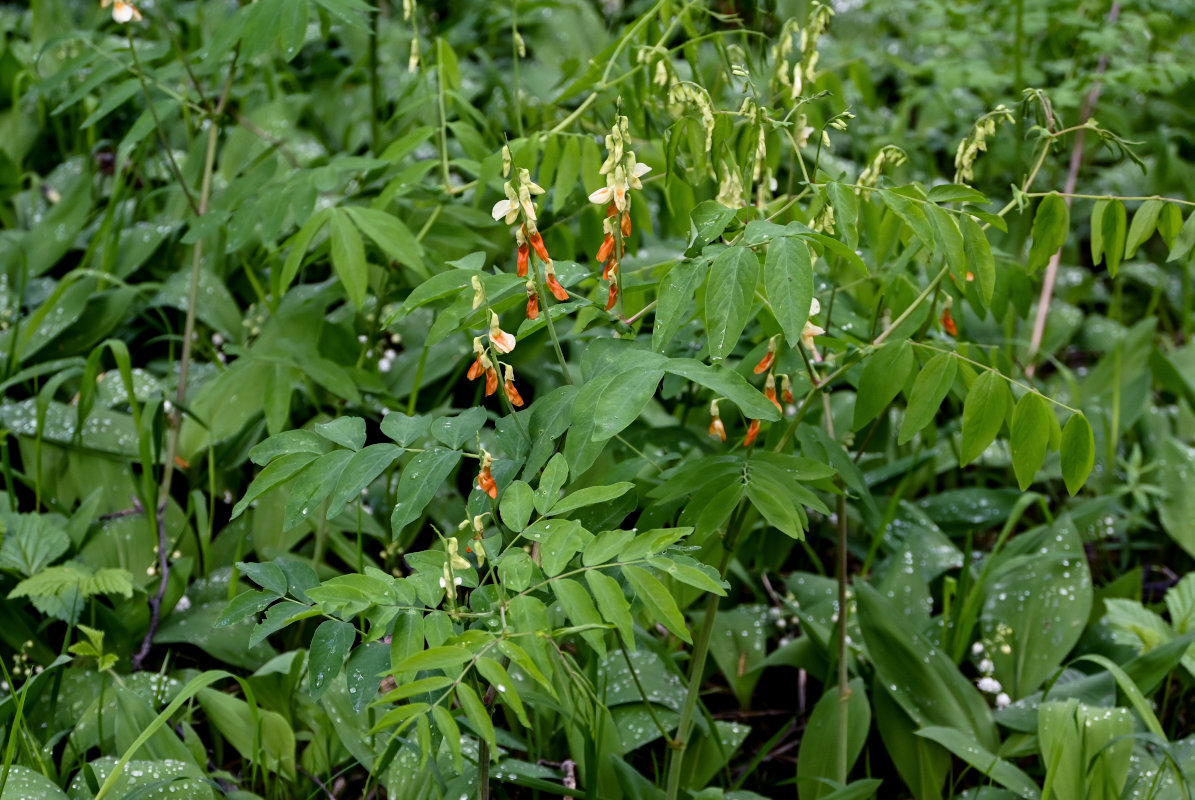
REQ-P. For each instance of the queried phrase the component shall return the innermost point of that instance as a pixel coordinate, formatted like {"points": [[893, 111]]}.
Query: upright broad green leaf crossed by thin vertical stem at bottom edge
{"points": [[818, 756]]}
